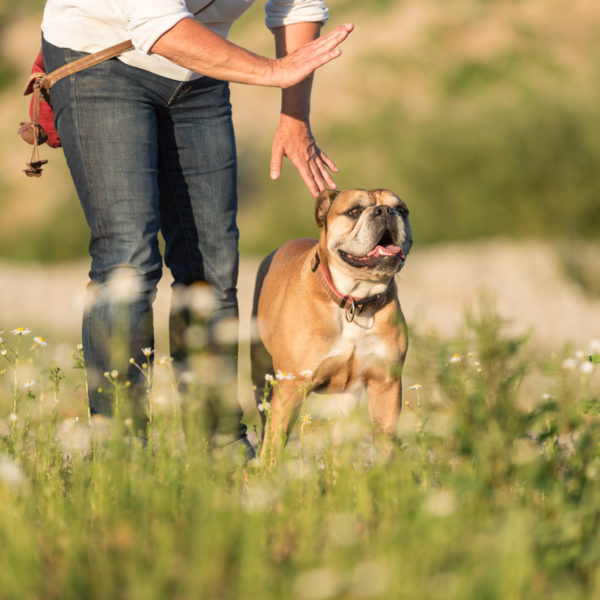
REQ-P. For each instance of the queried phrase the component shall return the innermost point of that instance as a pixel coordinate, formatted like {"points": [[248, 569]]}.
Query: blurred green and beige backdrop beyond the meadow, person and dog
{"points": [[483, 115]]}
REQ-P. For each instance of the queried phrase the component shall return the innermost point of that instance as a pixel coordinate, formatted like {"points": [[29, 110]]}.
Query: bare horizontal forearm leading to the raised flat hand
{"points": [[195, 47]]}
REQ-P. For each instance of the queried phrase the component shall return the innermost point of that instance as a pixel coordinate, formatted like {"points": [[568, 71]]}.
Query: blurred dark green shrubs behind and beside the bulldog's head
{"points": [[519, 170]]}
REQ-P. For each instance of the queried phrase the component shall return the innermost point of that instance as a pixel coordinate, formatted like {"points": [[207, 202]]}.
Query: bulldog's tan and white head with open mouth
{"points": [[365, 233]]}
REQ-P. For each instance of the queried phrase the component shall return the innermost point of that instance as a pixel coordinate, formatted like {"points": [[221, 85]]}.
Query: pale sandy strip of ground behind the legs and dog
{"points": [[437, 286]]}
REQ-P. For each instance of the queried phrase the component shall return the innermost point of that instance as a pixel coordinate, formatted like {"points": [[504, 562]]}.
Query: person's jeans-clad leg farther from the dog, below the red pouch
{"points": [[108, 132]]}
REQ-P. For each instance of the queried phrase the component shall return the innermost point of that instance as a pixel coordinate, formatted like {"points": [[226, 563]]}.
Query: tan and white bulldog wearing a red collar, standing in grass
{"points": [[328, 314]]}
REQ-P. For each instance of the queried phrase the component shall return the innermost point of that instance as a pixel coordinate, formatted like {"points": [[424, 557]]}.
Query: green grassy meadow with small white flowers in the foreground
{"points": [[490, 492]]}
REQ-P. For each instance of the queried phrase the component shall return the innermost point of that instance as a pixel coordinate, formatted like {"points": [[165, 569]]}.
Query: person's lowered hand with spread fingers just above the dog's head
{"points": [[294, 139]]}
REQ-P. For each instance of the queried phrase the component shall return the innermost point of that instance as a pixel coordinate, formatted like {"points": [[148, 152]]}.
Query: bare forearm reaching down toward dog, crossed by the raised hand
{"points": [[295, 100]]}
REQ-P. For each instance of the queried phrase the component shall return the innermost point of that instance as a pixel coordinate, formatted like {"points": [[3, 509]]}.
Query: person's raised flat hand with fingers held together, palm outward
{"points": [[299, 64]]}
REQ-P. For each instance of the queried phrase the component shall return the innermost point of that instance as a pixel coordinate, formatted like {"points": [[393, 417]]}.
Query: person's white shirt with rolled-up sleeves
{"points": [[91, 25]]}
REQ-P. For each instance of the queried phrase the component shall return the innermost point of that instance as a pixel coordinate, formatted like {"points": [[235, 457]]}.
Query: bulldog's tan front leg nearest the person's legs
{"points": [[283, 412]]}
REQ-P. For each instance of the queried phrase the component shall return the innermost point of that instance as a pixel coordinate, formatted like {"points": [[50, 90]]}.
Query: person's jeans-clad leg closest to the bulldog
{"points": [[198, 201]]}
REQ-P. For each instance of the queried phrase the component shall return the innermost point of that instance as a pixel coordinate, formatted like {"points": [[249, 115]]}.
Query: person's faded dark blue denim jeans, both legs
{"points": [[148, 154]]}
